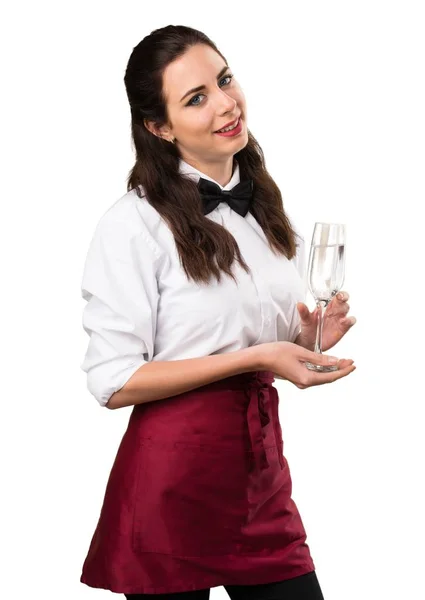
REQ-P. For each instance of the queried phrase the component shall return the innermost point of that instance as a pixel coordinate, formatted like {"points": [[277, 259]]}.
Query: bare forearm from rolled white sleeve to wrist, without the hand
{"points": [[161, 379]]}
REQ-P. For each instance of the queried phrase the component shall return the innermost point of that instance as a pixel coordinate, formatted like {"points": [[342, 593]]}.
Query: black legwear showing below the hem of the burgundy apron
{"points": [[304, 587]]}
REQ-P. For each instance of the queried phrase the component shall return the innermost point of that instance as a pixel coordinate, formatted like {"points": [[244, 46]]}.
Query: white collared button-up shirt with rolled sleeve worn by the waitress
{"points": [[141, 306]]}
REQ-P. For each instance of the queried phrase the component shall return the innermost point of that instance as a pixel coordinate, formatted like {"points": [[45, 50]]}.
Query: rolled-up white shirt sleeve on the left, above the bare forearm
{"points": [[120, 287]]}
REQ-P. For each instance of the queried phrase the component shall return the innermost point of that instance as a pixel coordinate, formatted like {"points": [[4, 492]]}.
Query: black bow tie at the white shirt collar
{"points": [[238, 198]]}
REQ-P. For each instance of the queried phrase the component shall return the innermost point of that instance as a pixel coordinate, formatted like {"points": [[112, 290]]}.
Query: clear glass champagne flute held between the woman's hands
{"points": [[326, 273]]}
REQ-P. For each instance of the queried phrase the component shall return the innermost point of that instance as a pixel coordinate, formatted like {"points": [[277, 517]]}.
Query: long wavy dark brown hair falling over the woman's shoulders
{"points": [[205, 247]]}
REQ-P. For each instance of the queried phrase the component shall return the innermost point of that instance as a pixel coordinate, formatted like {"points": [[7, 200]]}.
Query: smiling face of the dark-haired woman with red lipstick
{"points": [[195, 116]]}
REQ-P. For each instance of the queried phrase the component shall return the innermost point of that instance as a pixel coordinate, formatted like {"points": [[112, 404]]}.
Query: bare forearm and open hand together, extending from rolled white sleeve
{"points": [[161, 379]]}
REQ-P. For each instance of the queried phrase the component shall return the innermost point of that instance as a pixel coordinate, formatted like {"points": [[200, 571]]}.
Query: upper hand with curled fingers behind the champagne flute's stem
{"points": [[335, 324]]}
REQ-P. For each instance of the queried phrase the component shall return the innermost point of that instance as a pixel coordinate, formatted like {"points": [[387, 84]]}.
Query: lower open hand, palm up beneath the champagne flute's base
{"points": [[286, 360]]}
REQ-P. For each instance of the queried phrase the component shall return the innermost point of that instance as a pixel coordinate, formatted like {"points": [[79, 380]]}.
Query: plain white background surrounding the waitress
{"points": [[336, 98]]}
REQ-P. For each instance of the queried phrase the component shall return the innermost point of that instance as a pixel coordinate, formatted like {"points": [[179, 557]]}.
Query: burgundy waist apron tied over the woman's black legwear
{"points": [[199, 495]]}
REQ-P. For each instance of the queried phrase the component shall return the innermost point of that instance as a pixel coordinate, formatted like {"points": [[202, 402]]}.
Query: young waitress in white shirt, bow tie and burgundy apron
{"points": [[192, 281]]}
